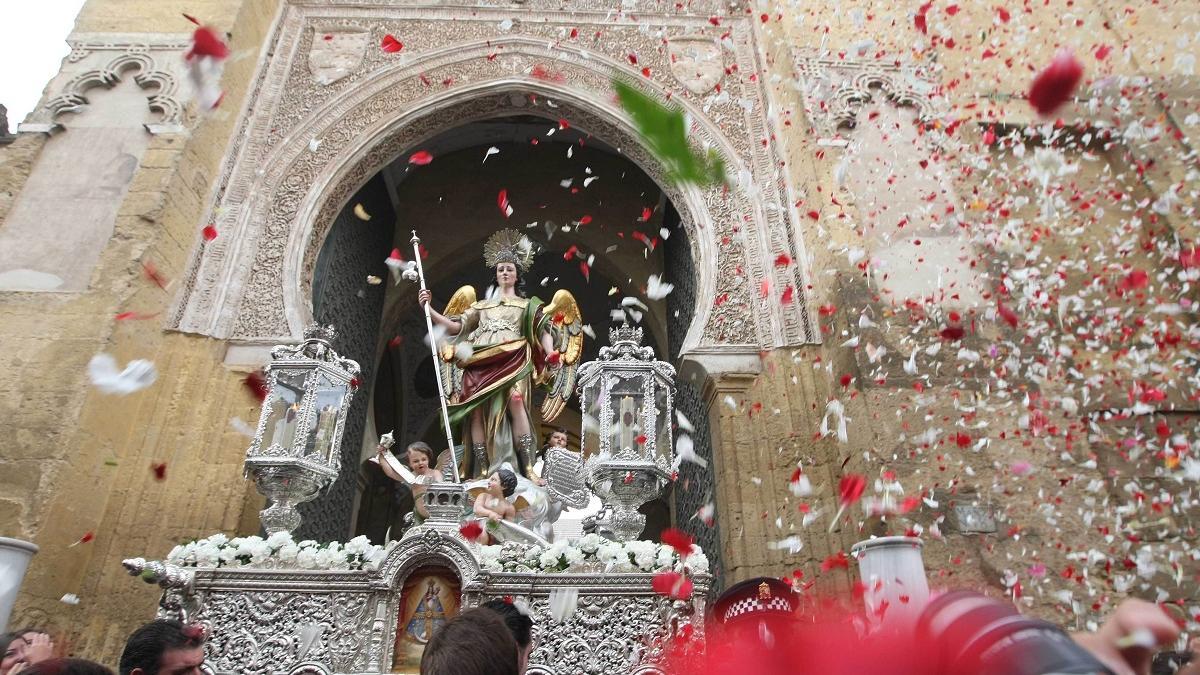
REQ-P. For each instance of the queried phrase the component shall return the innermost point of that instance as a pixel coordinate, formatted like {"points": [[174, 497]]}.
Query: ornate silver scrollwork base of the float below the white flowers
{"points": [[302, 623]]}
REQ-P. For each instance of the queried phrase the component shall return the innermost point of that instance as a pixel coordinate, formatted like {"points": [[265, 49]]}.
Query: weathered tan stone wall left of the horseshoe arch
{"points": [[79, 462]]}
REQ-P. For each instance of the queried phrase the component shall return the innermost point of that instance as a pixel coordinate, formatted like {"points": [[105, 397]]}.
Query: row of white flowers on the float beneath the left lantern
{"points": [[279, 552]]}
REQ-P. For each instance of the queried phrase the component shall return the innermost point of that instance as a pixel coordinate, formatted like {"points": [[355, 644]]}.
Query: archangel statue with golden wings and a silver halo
{"points": [[497, 350]]}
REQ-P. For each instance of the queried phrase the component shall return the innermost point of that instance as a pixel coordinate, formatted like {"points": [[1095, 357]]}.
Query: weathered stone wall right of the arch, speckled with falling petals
{"points": [[1072, 515]]}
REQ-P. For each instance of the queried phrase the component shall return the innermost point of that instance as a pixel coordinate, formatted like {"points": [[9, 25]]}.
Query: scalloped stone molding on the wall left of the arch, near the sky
{"points": [[104, 61]]}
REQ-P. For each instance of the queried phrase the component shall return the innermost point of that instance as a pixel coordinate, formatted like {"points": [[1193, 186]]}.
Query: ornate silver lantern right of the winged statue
{"points": [[629, 402]]}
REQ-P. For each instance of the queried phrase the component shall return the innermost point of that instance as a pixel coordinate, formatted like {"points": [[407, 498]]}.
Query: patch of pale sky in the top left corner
{"points": [[33, 44]]}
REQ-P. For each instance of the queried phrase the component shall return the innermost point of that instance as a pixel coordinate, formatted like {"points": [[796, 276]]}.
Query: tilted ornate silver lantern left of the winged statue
{"points": [[297, 450]]}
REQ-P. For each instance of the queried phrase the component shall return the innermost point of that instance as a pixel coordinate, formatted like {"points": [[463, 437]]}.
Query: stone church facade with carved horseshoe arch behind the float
{"points": [[825, 117]]}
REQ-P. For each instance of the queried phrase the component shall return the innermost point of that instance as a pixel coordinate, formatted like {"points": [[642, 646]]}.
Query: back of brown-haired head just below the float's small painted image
{"points": [[475, 643]]}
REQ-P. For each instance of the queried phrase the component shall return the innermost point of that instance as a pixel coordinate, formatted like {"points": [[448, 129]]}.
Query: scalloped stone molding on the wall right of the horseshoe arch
{"points": [[837, 89]]}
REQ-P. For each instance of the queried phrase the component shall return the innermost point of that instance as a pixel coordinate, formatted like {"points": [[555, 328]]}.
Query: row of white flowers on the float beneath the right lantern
{"points": [[591, 551]]}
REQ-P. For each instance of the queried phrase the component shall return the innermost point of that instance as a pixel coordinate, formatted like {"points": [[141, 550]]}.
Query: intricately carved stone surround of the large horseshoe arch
{"points": [[278, 196]]}
